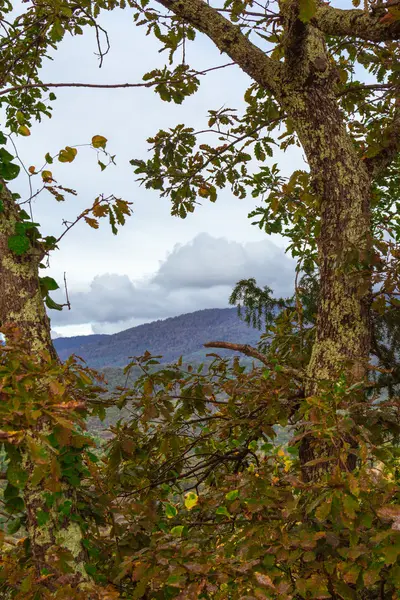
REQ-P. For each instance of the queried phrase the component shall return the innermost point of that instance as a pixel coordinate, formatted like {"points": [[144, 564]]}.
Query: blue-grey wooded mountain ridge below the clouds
{"points": [[174, 337]]}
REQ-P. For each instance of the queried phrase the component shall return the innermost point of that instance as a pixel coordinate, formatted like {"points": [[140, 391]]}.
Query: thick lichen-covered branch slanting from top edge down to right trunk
{"points": [[229, 39]]}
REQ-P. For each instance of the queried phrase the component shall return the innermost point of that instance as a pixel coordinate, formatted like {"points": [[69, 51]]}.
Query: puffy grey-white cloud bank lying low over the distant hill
{"points": [[197, 275]]}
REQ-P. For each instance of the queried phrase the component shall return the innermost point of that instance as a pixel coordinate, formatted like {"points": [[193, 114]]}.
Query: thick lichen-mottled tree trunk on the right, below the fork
{"points": [[342, 186]]}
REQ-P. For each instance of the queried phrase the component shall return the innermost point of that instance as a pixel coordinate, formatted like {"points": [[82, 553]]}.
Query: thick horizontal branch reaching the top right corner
{"points": [[355, 23]]}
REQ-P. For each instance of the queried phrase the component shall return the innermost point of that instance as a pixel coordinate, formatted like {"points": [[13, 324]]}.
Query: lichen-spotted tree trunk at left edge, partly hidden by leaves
{"points": [[22, 306]]}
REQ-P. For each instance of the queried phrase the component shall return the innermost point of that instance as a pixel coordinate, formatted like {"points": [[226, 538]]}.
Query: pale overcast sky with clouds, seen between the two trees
{"points": [[158, 265]]}
